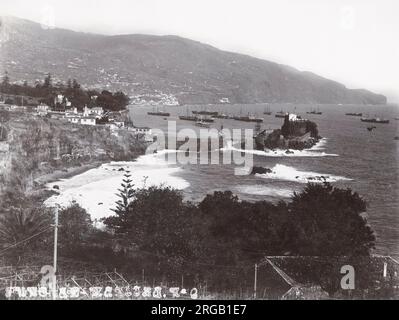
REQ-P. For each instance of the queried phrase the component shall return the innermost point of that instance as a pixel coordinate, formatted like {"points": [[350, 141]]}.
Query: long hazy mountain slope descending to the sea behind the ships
{"points": [[154, 67]]}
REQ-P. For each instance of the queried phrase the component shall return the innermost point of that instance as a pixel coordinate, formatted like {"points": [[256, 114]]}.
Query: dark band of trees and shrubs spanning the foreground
{"points": [[215, 242]]}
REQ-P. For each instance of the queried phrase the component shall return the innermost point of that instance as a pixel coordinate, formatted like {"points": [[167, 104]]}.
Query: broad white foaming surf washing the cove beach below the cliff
{"points": [[95, 190]]}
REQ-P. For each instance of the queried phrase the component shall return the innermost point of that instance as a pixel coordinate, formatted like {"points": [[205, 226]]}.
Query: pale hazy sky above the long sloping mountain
{"points": [[354, 41]]}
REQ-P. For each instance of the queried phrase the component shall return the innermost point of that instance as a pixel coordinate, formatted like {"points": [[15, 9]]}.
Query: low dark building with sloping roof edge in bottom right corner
{"points": [[313, 277]]}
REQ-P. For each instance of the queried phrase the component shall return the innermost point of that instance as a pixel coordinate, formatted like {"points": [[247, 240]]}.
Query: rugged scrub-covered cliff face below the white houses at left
{"points": [[36, 147]]}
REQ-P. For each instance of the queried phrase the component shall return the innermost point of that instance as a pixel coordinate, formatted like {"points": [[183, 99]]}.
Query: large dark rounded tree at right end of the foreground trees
{"points": [[328, 221]]}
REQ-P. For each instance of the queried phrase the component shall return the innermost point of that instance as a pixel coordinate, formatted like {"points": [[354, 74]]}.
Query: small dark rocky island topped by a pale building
{"points": [[296, 133]]}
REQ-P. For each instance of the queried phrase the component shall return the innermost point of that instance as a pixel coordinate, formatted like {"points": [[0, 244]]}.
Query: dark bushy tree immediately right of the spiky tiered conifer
{"points": [[159, 224]]}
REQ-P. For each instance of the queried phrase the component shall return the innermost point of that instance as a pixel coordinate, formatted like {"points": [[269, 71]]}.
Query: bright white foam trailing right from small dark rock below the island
{"points": [[282, 172]]}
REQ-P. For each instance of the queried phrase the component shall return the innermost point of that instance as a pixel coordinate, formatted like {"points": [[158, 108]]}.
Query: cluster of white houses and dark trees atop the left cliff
{"points": [[70, 103]]}
